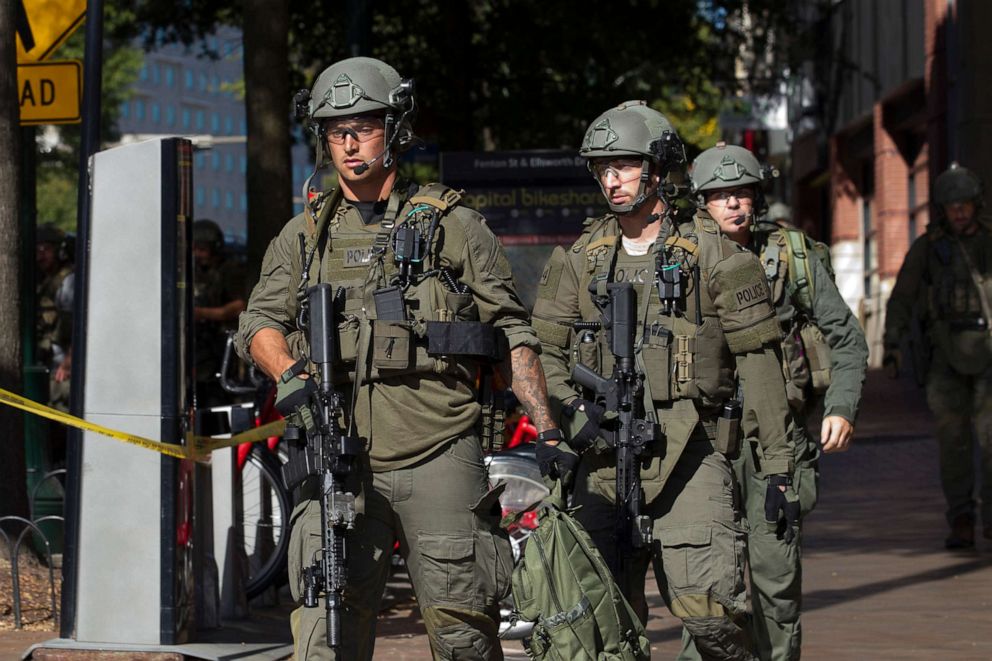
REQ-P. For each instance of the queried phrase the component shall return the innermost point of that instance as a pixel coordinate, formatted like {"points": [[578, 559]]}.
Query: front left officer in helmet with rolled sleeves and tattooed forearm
{"points": [[405, 261]]}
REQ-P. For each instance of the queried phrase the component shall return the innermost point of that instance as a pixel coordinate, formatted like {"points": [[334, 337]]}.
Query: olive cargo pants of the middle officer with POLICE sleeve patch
{"points": [[698, 549]]}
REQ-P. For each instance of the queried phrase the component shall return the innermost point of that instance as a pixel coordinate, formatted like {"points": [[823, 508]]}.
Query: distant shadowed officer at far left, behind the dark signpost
{"points": [[54, 293]]}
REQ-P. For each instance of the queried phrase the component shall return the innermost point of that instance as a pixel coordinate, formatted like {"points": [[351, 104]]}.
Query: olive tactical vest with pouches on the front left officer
{"points": [[395, 317]]}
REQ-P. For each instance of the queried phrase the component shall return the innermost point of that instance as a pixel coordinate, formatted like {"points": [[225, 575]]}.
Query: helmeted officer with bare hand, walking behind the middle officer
{"points": [[825, 356]]}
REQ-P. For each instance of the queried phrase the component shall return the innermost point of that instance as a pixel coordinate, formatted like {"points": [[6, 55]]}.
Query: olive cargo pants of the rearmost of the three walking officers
{"points": [[775, 567]]}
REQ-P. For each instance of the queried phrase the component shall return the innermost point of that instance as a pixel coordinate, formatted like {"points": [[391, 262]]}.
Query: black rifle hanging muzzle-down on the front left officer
{"points": [[330, 455]]}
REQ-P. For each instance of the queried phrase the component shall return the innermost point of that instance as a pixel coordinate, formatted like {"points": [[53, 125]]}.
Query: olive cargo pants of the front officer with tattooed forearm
{"points": [[459, 560]]}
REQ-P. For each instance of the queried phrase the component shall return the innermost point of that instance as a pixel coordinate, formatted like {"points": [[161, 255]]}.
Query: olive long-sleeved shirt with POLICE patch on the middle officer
{"points": [[744, 321]]}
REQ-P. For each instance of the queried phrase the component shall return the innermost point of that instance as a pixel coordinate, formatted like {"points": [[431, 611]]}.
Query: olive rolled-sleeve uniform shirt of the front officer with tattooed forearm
{"points": [[409, 417]]}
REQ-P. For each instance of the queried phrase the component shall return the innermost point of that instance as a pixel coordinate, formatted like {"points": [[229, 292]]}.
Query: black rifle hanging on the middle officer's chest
{"points": [[622, 393]]}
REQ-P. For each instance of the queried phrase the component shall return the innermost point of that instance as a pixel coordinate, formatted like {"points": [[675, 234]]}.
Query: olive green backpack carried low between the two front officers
{"points": [[563, 585]]}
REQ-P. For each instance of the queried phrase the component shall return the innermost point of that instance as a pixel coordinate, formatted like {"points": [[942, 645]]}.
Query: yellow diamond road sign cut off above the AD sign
{"points": [[43, 25]]}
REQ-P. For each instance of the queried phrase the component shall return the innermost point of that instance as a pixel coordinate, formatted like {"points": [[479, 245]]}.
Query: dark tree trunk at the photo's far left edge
{"points": [[13, 488]]}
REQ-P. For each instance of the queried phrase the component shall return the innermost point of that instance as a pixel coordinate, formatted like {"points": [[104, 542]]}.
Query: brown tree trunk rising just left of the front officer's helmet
{"points": [[267, 99]]}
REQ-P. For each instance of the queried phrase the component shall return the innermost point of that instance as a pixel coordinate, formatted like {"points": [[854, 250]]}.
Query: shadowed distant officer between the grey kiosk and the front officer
{"points": [[219, 295]]}
